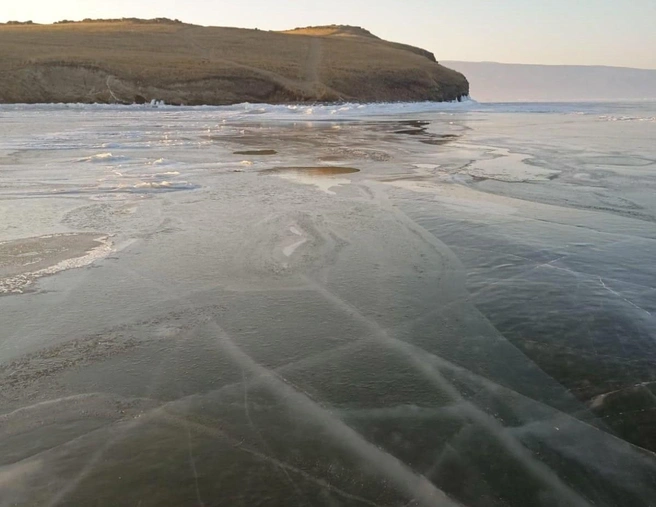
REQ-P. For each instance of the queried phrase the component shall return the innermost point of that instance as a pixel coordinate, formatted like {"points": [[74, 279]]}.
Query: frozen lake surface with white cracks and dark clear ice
{"points": [[391, 305]]}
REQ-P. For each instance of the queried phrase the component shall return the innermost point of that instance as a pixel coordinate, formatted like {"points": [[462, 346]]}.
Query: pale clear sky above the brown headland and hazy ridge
{"points": [[578, 32]]}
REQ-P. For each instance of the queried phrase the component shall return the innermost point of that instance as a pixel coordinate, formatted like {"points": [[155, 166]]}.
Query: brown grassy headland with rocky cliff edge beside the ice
{"points": [[128, 61]]}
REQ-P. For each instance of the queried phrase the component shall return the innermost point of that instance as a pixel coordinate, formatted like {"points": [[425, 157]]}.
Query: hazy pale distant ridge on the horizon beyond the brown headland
{"points": [[503, 82]]}
